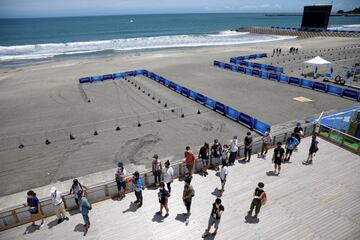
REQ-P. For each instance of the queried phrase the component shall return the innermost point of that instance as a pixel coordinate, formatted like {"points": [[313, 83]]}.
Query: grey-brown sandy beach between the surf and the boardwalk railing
{"points": [[46, 96]]}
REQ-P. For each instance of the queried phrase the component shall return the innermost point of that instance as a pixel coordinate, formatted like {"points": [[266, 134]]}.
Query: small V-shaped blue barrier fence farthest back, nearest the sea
{"points": [[242, 62]]}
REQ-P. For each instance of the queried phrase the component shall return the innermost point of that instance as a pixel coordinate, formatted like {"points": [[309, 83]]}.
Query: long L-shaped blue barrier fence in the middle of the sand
{"points": [[230, 112]]}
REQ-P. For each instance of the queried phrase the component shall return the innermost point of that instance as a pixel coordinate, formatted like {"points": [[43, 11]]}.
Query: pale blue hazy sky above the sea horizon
{"points": [[63, 8]]}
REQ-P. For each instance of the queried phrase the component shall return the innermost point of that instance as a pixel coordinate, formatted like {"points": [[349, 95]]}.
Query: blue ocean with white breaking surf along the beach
{"points": [[29, 41]]}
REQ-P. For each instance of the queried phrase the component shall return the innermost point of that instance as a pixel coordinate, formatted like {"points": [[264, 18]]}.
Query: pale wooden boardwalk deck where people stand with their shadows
{"points": [[321, 201]]}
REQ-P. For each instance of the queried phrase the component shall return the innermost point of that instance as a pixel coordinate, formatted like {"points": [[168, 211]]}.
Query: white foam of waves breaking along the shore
{"points": [[48, 50]]}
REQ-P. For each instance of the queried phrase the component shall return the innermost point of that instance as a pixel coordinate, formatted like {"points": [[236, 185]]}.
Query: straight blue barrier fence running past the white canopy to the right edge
{"points": [[323, 87]]}
